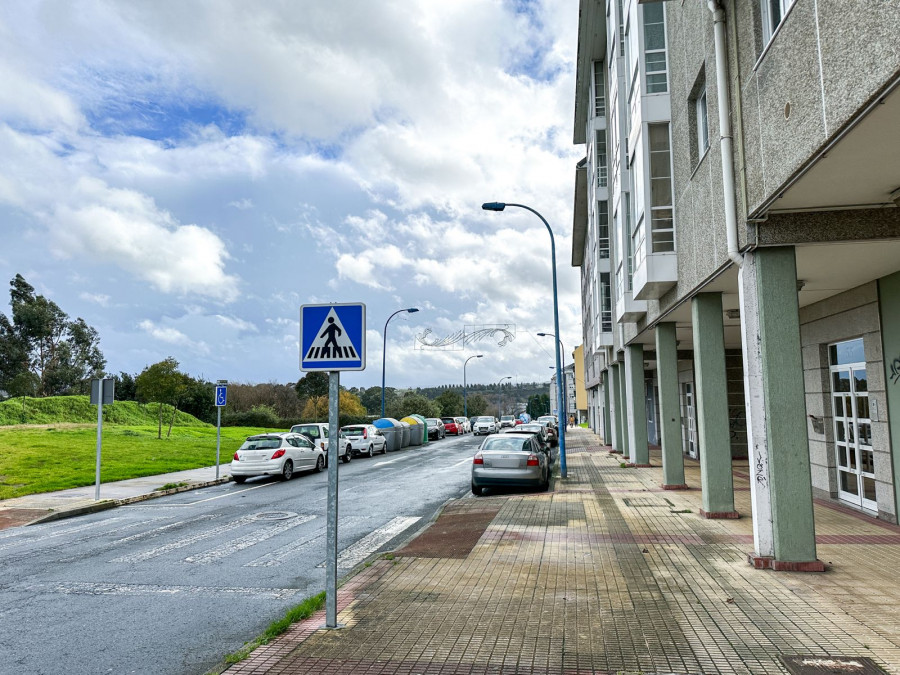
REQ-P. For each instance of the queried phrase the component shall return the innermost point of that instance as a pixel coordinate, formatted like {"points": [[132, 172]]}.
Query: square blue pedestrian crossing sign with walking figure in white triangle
{"points": [[333, 337]]}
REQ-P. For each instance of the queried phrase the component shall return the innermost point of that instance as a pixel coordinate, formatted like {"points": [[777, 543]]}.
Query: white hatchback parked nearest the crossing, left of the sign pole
{"points": [[275, 455]]}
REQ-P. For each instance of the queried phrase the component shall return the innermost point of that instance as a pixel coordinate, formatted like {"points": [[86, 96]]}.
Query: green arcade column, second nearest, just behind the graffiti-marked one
{"points": [[713, 433]]}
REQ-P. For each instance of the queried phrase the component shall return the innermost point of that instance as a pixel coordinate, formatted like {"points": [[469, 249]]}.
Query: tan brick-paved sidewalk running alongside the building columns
{"points": [[605, 574]]}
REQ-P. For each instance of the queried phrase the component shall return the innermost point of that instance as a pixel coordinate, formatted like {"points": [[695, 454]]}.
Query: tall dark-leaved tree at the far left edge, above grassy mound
{"points": [[40, 339]]}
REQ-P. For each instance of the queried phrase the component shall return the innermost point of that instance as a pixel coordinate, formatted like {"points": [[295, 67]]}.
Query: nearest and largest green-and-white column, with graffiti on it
{"points": [[777, 363]]}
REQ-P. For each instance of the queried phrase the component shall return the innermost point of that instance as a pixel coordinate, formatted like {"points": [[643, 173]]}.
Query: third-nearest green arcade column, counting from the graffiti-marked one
{"points": [[669, 407]]}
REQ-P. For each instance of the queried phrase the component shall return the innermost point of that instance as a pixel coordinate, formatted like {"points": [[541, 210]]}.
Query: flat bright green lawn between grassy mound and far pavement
{"points": [[47, 457]]}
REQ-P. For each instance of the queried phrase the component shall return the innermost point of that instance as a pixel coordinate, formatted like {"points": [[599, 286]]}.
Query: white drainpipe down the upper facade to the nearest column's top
{"points": [[725, 142]]}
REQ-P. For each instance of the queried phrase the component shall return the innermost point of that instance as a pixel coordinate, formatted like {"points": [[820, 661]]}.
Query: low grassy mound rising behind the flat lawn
{"points": [[78, 409]]}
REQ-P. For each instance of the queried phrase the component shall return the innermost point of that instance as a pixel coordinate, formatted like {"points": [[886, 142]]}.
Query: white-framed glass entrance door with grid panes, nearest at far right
{"points": [[854, 455]]}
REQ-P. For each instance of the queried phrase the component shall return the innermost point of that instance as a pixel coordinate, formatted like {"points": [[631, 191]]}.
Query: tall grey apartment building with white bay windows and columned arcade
{"points": [[738, 233]]}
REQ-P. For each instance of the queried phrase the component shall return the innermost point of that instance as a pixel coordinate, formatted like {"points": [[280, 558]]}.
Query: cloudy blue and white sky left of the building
{"points": [[184, 175]]}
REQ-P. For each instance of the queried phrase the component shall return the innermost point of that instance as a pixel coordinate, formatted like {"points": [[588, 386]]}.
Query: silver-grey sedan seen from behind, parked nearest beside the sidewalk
{"points": [[508, 460]]}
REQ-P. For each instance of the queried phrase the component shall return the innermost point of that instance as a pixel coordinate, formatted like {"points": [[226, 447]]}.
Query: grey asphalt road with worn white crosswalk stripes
{"points": [[171, 585]]}
